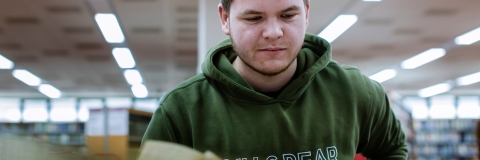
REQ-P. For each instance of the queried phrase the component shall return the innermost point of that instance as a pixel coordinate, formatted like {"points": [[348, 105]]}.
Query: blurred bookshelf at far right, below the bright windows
{"points": [[444, 139]]}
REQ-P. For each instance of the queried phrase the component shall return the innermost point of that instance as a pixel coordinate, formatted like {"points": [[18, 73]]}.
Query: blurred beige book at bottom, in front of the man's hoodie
{"points": [[160, 150]]}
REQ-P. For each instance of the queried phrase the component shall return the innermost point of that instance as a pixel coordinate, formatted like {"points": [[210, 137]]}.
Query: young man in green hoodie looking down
{"points": [[271, 92]]}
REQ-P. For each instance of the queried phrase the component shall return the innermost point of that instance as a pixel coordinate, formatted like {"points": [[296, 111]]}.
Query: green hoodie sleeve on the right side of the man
{"points": [[382, 137]]}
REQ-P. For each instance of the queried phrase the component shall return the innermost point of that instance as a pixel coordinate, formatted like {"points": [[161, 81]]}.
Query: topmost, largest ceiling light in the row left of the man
{"points": [[110, 27]]}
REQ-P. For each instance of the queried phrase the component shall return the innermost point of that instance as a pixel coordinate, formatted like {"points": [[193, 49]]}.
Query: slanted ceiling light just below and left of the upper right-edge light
{"points": [[423, 58]]}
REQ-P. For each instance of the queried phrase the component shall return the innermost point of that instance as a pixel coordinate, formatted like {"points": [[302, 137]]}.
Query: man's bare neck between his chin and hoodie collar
{"points": [[262, 82]]}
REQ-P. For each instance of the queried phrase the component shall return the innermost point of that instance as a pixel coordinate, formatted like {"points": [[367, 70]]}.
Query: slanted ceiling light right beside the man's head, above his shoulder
{"points": [[337, 27]]}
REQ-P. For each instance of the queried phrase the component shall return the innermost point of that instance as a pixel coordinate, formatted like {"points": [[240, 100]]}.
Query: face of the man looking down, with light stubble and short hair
{"points": [[266, 34]]}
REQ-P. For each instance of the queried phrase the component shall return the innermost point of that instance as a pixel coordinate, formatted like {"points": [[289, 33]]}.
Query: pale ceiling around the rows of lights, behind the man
{"points": [[59, 41]]}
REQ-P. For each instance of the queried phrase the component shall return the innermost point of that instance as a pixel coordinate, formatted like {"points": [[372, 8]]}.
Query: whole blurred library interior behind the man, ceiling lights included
{"points": [[81, 78]]}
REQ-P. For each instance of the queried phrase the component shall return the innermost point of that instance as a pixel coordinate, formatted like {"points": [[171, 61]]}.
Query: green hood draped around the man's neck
{"points": [[313, 57]]}
